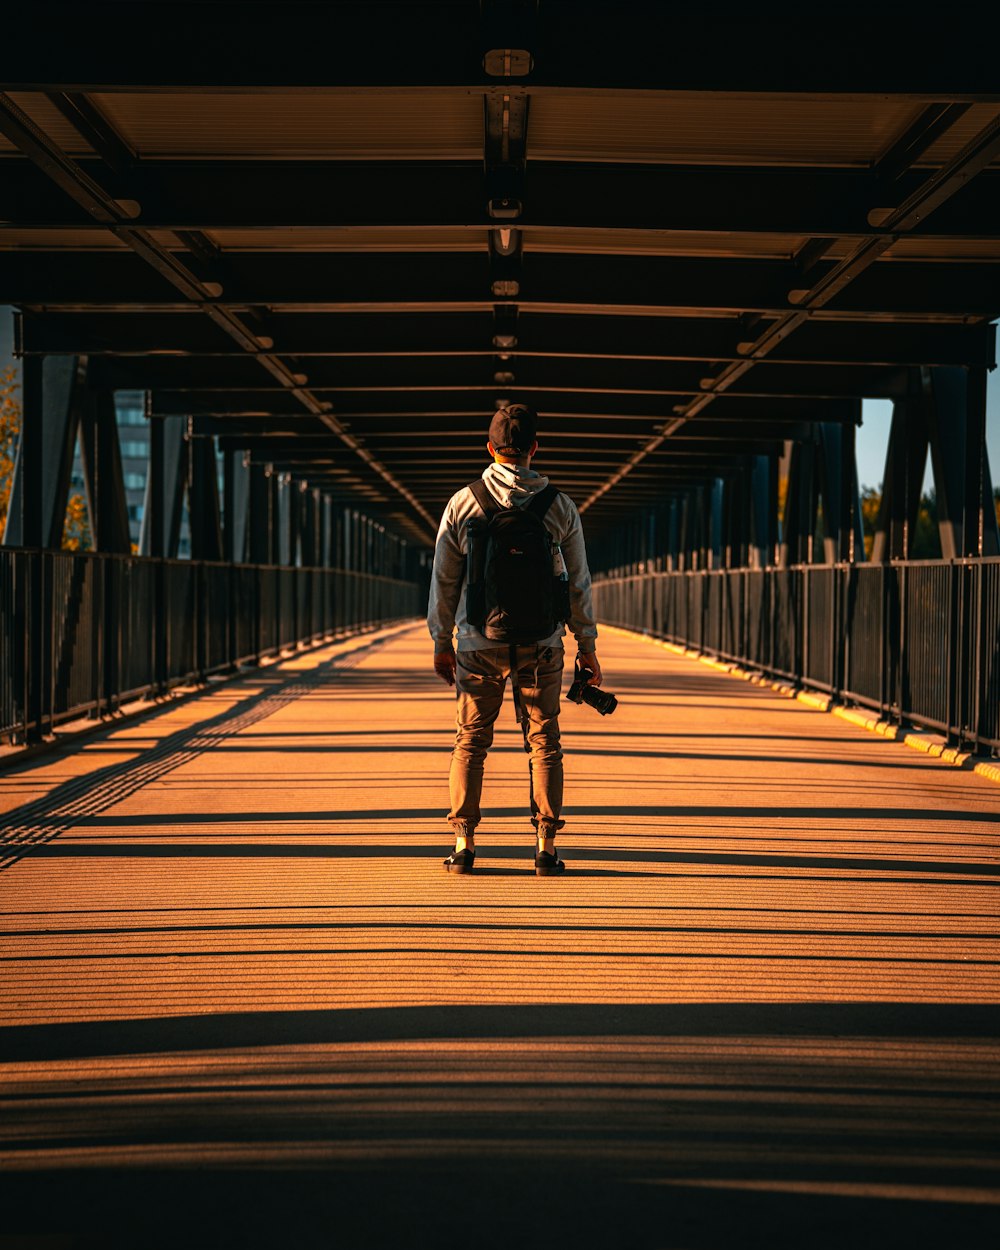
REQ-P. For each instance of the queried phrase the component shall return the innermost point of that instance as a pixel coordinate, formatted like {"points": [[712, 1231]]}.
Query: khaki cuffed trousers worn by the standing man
{"points": [[482, 678]]}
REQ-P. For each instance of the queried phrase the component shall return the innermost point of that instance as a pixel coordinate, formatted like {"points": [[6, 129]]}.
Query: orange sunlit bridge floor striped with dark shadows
{"points": [[761, 1008]]}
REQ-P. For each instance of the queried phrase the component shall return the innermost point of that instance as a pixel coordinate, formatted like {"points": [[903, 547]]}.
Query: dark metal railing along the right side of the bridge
{"points": [[917, 641]]}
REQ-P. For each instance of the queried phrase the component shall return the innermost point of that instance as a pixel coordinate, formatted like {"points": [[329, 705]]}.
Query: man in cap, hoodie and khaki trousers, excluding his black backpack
{"points": [[482, 667]]}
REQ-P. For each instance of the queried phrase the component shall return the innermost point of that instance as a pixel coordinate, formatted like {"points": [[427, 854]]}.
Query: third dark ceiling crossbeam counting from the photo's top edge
{"points": [[323, 282]]}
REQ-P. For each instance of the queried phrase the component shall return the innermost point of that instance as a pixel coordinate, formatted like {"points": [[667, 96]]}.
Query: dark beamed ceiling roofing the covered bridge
{"points": [[337, 236]]}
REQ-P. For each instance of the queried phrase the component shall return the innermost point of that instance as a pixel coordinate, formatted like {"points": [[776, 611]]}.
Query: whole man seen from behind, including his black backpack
{"points": [[511, 569]]}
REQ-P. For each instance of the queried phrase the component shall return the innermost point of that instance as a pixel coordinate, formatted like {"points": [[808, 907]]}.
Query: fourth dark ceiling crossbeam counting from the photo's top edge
{"points": [[442, 337]]}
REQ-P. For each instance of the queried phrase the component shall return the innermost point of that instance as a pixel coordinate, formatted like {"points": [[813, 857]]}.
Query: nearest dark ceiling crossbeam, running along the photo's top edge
{"points": [[439, 44]]}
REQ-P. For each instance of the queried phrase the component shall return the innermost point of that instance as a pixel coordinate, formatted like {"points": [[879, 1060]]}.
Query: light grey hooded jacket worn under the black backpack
{"points": [[513, 487]]}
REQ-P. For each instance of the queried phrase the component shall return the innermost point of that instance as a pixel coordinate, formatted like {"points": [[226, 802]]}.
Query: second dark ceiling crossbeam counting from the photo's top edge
{"points": [[681, 204]]}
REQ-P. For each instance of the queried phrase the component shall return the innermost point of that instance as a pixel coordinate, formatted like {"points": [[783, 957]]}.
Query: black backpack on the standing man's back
{"points": [[513, 593]]}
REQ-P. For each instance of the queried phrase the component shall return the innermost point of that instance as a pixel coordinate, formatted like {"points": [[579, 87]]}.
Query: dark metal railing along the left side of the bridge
{"points": [[84, 633]]}
